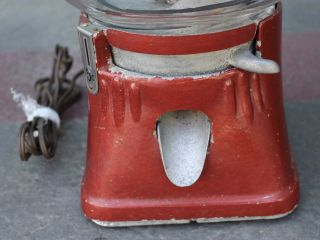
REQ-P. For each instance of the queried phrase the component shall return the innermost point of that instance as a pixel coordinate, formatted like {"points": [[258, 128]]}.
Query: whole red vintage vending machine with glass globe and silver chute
{"points": [[186, 119]]}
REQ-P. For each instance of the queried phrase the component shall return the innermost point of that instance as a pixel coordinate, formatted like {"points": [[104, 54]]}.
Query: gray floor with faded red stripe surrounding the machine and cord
{"points": [[40, 199]]}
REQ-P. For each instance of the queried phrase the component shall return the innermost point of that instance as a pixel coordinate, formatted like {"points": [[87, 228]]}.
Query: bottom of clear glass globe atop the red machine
{"points": [[175, 16]]}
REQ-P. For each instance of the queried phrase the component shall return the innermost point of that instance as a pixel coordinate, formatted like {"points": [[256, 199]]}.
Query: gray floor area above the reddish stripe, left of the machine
{"points": [[37, 25]]}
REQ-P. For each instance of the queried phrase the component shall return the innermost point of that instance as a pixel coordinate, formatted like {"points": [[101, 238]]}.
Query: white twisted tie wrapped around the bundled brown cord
{"points": [[32, 109]]}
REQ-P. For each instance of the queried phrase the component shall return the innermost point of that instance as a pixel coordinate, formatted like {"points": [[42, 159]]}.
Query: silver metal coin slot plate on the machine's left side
{"points": [[86, 33]]}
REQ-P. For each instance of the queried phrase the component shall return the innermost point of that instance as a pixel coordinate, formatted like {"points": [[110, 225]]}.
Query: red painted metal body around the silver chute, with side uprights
{"points": [[248, 171]]}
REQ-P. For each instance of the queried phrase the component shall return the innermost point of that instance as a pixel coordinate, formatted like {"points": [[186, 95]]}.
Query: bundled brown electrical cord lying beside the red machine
{"points": [[40, 136]]}
